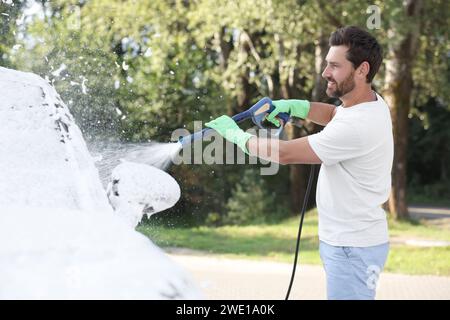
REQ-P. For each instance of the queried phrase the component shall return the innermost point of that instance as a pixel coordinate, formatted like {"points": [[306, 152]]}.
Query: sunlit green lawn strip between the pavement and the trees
{"points": [[276, 242]]}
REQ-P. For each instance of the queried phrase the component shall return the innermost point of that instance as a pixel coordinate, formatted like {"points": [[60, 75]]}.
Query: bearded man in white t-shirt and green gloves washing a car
{"points": [[356, 151]]}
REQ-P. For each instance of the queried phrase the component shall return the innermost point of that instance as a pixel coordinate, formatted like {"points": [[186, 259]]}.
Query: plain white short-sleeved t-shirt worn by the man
{"points": [[356, 149]]}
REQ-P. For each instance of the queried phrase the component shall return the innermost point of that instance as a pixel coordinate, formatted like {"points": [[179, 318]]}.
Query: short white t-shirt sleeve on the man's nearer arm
{"points": [[338, 141]]}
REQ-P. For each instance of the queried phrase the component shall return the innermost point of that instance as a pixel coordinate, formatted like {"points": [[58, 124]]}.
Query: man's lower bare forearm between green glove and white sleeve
{"points": [[284, 152]]}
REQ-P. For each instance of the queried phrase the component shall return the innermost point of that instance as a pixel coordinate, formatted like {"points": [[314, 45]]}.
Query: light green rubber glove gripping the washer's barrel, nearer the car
{"points": [[227, 128]]}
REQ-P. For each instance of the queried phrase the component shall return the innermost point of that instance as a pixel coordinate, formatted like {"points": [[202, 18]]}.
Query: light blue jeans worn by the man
{"points": [[352, 272]]}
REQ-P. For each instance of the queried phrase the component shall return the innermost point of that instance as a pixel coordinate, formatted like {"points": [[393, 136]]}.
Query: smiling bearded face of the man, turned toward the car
{"points": [[339, 72]]}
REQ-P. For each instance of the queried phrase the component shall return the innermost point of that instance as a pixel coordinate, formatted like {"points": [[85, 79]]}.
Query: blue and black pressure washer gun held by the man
{"points": [[258, 113]]}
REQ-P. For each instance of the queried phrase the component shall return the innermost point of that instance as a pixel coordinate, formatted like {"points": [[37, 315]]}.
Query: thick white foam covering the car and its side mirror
{"points": [[59, 236]]}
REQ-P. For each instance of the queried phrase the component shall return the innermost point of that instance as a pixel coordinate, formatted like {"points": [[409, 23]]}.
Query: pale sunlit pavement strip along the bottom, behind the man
{"points": [[221, 278]]}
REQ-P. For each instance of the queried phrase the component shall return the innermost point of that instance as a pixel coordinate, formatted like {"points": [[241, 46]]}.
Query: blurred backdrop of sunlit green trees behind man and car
{"points": [[134, 71]]}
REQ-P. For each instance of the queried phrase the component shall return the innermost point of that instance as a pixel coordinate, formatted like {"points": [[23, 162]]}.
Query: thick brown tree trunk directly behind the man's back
{"points": [[399, 84]]}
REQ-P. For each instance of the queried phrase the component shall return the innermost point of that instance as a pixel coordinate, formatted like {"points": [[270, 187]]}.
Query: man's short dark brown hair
{"points": [[362, 46]]}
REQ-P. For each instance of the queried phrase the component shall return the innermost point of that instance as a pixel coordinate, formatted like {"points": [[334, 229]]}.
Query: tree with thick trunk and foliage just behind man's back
{"points": [[416, 40]]}
